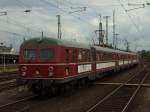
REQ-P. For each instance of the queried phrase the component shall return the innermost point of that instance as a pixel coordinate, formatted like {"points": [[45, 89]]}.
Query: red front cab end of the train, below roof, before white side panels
{"points": [[56, 64]]}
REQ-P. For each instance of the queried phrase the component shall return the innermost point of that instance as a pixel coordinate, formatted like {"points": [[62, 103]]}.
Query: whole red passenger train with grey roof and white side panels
{"points": [[47, 62]]}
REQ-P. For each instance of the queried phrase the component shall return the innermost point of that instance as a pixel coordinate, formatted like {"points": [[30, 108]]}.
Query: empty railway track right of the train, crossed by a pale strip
{"points": [[120, 98]]}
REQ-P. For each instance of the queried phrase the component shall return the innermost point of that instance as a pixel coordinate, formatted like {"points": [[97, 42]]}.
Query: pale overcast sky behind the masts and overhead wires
{"points": [[79, 26]]}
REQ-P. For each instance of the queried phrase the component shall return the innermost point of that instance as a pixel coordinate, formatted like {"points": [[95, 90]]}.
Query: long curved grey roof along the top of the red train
{"points": [[53, 41]]}
